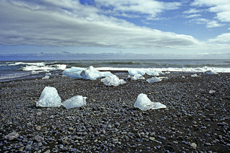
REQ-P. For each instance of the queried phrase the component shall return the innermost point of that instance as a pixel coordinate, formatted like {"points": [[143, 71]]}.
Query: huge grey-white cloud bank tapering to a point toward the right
{"points": [[68, 23]]}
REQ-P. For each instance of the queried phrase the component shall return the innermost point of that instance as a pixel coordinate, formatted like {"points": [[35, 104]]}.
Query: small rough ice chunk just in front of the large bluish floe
{"points": [[112, 80]]}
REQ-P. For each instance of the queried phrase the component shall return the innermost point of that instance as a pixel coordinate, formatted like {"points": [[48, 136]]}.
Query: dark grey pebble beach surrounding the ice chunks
{"points": [[195, 120]]}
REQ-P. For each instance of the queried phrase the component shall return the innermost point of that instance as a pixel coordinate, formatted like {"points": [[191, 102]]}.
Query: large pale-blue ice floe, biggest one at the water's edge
{"points": [[89, 73]]}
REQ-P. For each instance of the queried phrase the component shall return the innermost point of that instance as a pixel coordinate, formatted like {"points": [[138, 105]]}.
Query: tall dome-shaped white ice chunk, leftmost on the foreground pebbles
{"points": [[49, 98]]}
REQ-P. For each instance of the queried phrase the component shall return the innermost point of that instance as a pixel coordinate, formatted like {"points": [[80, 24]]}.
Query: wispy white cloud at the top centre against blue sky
{"points": [[130, 8]]}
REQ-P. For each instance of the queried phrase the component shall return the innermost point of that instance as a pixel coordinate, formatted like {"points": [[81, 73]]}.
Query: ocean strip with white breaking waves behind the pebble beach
{"points": [[13, 70]]}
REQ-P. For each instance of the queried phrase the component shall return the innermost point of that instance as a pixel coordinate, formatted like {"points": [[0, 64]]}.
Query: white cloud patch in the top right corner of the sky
{"points": [[220, 7]]}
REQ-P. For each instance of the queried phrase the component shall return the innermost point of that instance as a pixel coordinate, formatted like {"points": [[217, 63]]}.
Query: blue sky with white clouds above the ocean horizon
{"points": [[165, 28]]}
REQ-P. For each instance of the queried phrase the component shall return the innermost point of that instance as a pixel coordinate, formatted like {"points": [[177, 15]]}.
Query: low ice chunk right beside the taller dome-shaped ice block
{"points": [[76, 101]]}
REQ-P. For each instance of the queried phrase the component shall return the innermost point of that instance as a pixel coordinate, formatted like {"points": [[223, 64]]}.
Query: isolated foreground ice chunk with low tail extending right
{"points": [[144, 103]]}
